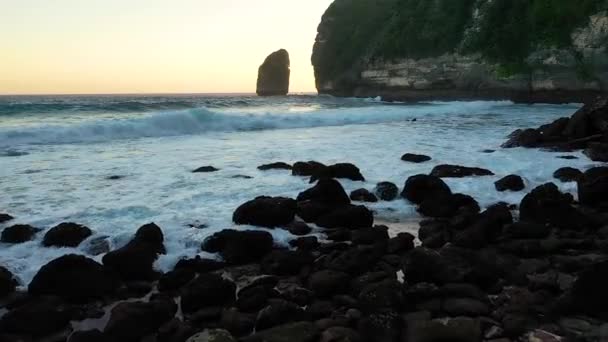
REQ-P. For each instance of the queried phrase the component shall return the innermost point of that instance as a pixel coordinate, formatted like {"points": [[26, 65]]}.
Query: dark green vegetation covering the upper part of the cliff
{"points": [[503, 31]]}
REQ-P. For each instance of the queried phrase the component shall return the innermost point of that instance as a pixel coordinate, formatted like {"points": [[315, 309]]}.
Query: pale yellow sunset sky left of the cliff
{"points": [[152, 46]]}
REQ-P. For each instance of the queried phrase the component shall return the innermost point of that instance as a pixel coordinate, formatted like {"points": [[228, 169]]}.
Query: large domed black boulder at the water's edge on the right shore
{"points": [[546, 204]]}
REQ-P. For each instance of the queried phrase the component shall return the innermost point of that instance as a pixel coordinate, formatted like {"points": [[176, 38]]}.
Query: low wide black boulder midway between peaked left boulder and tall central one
{"points": [[239, 247]]}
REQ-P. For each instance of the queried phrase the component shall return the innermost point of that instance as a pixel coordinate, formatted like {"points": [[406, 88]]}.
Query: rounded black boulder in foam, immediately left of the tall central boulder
{"points": [[266, 212]]}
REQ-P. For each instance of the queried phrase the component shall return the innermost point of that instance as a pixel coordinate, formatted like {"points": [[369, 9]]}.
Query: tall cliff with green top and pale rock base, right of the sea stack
{"points": [[524, 50]]}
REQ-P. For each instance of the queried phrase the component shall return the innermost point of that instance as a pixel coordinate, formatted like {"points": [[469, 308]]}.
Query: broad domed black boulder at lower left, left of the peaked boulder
{"points": [[73, 278]]}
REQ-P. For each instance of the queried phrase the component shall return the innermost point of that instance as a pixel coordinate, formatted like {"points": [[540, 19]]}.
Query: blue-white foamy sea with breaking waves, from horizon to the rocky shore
{"points": [[57, 152]]}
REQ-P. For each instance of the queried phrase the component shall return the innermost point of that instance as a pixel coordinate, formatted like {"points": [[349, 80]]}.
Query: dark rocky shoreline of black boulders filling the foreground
{"points": [[537, 271]]}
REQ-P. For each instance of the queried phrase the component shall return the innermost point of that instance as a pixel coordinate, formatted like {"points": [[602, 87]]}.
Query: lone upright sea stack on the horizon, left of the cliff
{"points": [[273, 74]]}
